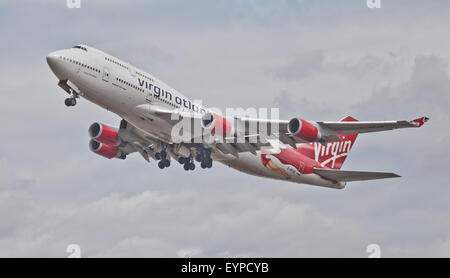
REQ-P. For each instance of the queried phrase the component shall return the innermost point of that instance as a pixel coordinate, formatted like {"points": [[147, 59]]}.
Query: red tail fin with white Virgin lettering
{"points": [[330, 154]]}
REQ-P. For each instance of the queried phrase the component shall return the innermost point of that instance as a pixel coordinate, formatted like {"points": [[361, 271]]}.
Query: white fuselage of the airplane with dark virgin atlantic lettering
{"points": [[119, 87]]}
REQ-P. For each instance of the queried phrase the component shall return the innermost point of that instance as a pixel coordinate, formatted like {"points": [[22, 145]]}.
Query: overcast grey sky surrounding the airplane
{"points": [[320, 60]]}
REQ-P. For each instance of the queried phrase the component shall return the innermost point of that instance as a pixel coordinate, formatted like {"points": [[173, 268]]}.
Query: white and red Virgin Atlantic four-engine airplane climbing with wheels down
{"points": [[295, 150]]}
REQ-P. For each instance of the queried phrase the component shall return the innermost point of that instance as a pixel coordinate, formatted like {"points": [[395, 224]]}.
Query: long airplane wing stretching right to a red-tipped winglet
{"points": [[250, 135]]}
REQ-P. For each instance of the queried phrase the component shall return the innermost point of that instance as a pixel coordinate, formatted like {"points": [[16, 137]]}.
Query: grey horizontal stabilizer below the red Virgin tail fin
{"points": [[340, 175]]}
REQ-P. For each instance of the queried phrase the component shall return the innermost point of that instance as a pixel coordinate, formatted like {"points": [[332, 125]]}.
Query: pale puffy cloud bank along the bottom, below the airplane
{"points": [[161, 224]]}
